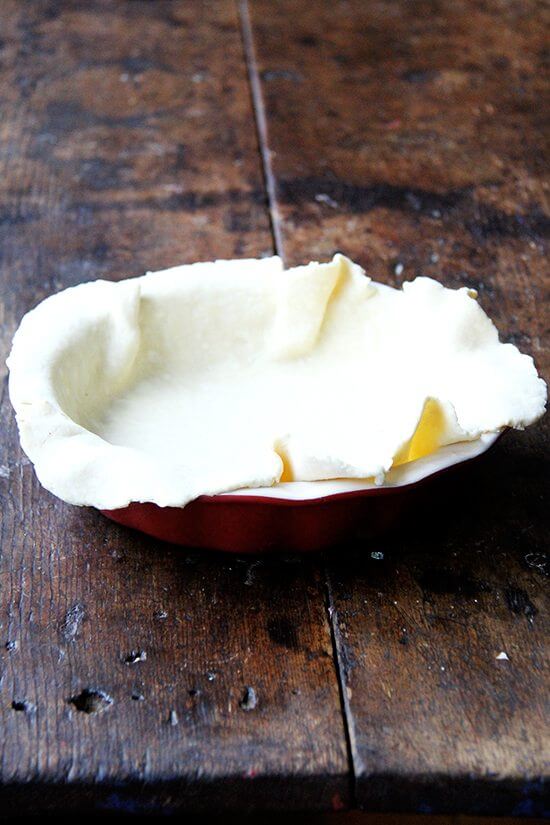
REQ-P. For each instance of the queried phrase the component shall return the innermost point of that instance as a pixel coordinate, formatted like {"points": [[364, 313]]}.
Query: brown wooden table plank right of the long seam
{"points": [[410, 136]]}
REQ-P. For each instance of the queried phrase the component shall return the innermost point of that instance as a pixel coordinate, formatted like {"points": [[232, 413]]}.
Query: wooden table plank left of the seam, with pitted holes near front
{"points": [[137, 676]]}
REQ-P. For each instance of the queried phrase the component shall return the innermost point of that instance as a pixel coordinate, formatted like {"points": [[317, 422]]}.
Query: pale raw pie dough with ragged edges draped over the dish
{"points": [[217, 376]]}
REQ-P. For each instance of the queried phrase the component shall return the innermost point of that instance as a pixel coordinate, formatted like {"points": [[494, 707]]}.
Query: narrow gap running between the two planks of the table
{"points": [[260, 122]]}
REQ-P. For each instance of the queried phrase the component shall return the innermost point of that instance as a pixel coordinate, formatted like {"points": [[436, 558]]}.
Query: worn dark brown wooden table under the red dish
{"points": [[136, 676]]}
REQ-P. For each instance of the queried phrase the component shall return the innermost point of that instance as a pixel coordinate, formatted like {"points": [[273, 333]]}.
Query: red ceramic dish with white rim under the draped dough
{"points": [[295, 517]]}
